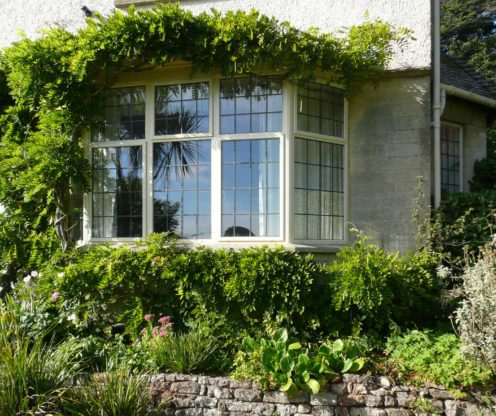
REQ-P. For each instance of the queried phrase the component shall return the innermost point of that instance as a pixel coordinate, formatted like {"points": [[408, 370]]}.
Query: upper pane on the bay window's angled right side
{"points": [[320, 109]]}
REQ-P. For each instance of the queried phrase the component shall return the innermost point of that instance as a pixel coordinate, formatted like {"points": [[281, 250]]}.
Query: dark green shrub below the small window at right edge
{"points": [[463, 224]]}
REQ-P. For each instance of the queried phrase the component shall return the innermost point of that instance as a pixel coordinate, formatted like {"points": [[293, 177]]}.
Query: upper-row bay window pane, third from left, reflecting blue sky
{"points": [[256, 104]]}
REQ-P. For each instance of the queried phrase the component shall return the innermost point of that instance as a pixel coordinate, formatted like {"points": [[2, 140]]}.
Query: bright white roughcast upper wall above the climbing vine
{"points": [[328, 15]]}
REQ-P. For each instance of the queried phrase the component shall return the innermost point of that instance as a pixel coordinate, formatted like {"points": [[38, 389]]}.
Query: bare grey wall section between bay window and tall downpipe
{"points": [[389, 144]]}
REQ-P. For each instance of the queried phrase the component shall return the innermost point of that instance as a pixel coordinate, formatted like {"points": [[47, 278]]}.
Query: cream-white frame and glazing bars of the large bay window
{"points": [[286, 139]]}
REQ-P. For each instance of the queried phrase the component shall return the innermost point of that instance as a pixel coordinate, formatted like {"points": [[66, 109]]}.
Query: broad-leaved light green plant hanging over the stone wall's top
{"points": [[293, 368]]}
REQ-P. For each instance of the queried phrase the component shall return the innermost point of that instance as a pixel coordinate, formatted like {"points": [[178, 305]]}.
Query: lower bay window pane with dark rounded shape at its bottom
{"points": [[245, 188]]}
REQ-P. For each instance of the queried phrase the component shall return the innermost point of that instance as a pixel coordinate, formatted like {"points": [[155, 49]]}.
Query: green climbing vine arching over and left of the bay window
{"points": [[54, 81]]}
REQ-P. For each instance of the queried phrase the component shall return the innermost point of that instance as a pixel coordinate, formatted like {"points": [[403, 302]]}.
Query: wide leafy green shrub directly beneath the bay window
{"points": [[225, 292]]}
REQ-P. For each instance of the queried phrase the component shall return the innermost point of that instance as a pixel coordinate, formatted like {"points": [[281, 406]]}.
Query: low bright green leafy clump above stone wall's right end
{"points": [[426, 355]]}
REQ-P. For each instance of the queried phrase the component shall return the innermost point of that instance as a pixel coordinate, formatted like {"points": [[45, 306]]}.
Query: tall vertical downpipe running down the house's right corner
{"points": [[437, 107]]}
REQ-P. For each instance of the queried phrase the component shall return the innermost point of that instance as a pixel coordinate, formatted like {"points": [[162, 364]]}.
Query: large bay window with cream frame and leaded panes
{"points": [[220, 160]]}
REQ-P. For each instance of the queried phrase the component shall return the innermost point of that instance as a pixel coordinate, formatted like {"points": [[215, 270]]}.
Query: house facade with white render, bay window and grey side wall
{"points": [[259, 160]]}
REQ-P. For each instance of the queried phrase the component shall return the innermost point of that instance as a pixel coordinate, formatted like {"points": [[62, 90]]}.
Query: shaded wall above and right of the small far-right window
{"points": [[472, 118]]}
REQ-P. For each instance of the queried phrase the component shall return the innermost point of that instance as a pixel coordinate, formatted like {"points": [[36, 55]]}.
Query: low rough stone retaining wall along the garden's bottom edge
{"points": [[354, 396]]}
